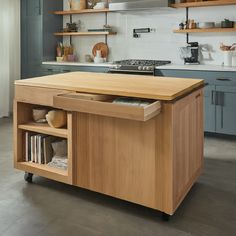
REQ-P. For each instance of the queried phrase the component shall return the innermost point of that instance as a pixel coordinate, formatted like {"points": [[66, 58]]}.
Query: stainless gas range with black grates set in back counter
{"points": [[145, 67]]}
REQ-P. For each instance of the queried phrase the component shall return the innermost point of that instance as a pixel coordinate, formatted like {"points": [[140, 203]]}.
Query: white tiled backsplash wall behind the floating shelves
{"points": [[163, 44]]}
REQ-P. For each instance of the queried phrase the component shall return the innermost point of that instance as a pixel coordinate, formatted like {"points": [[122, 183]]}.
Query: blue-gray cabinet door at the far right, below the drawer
{"points": [[226, 110]]}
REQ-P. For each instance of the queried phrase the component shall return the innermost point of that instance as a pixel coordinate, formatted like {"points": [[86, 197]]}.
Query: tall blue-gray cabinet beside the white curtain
{"points": [[37, 41]]}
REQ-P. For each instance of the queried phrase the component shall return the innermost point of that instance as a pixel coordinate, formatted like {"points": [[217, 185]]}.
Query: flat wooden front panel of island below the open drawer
{"points": [[117, 157]]}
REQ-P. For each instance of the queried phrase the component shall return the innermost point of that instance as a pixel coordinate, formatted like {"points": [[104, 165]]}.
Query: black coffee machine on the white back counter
{"points": [[190, 53]]}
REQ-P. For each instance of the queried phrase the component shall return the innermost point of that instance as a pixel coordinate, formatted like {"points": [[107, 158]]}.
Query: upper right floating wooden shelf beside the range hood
{"points": [[204, 4]]}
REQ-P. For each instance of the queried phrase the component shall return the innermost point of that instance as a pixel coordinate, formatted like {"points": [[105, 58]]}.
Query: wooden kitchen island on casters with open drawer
{"points": [[149, 155]]}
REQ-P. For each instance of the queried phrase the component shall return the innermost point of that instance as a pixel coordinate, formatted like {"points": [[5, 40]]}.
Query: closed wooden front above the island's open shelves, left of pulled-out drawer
{"points": [[35, 95]]}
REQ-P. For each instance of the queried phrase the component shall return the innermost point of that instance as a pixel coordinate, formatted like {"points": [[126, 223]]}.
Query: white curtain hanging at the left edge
{"points": [[10, 52]]}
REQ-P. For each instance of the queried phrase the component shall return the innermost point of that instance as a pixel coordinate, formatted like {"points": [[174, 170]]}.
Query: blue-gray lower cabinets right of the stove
{"points": [[220, 97]]}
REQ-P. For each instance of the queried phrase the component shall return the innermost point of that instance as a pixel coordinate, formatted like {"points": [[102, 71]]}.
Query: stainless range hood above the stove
{"points": [[133, 5]]}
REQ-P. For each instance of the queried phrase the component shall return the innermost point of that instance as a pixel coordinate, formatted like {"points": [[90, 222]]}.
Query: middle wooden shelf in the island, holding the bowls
{"points": [[44, 129]]}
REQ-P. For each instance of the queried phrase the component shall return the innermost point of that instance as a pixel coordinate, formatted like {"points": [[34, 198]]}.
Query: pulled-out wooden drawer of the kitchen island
{"points": [[102, 105]]}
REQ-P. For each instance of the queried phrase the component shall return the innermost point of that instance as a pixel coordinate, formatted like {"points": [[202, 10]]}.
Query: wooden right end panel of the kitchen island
{"points": [[188, 136]]}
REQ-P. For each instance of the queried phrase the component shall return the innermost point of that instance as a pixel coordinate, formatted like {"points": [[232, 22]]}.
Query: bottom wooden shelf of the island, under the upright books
{"points": [[44, 170]]}
